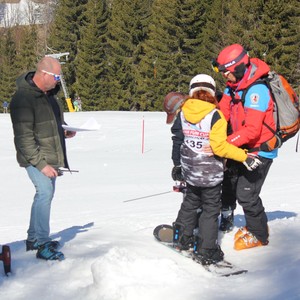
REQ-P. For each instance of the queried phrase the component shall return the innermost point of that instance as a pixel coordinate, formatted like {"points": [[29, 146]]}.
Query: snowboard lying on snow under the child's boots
{"points": [[164, 235]]}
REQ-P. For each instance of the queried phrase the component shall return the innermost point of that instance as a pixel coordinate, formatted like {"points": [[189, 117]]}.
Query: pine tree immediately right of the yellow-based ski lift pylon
{"points": [[90, 62]]}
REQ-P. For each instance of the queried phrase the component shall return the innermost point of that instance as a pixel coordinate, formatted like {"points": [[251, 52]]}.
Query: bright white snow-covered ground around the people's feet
{"points": [[107, 240]]}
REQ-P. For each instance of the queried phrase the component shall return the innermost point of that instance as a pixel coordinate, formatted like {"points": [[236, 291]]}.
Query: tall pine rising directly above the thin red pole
{"points": [[162, 55]]}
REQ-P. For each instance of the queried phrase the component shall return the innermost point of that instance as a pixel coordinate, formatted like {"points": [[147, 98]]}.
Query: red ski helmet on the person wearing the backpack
{"points": [[231, 57]]}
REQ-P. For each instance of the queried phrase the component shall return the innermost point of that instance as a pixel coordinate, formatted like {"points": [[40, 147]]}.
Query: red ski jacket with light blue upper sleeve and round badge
{"points": [[246, 119]]}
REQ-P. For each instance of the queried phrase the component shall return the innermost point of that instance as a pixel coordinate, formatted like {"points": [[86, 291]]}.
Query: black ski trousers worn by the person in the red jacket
{"points": [[245, 186]]}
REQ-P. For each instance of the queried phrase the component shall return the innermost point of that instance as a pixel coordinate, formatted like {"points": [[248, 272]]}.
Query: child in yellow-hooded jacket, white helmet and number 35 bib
{"points": [[197, 126]]}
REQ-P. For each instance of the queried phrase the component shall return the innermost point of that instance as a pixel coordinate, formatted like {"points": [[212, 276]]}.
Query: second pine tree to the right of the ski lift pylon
{"points": [[126, 32]]}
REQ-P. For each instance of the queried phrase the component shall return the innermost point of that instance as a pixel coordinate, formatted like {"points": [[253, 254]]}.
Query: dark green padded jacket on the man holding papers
{"points": [[37, 139]]}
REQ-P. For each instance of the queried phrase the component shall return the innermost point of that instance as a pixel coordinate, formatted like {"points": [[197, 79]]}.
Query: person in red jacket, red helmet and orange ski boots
{"points": [[248, 130]]}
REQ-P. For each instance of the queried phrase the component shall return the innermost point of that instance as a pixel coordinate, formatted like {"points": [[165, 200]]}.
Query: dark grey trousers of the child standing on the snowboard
{"points": [[208, 199]]}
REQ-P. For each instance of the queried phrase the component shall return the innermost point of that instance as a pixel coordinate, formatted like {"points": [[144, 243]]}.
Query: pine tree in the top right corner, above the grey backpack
{"points": [[278, 37]]}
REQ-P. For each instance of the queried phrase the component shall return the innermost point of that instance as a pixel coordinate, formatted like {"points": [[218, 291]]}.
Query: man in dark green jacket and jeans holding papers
{"points": [[39, 137]]}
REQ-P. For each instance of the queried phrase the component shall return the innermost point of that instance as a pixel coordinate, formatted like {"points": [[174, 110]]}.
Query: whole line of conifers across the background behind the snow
{"points": [[128, 54]]}
